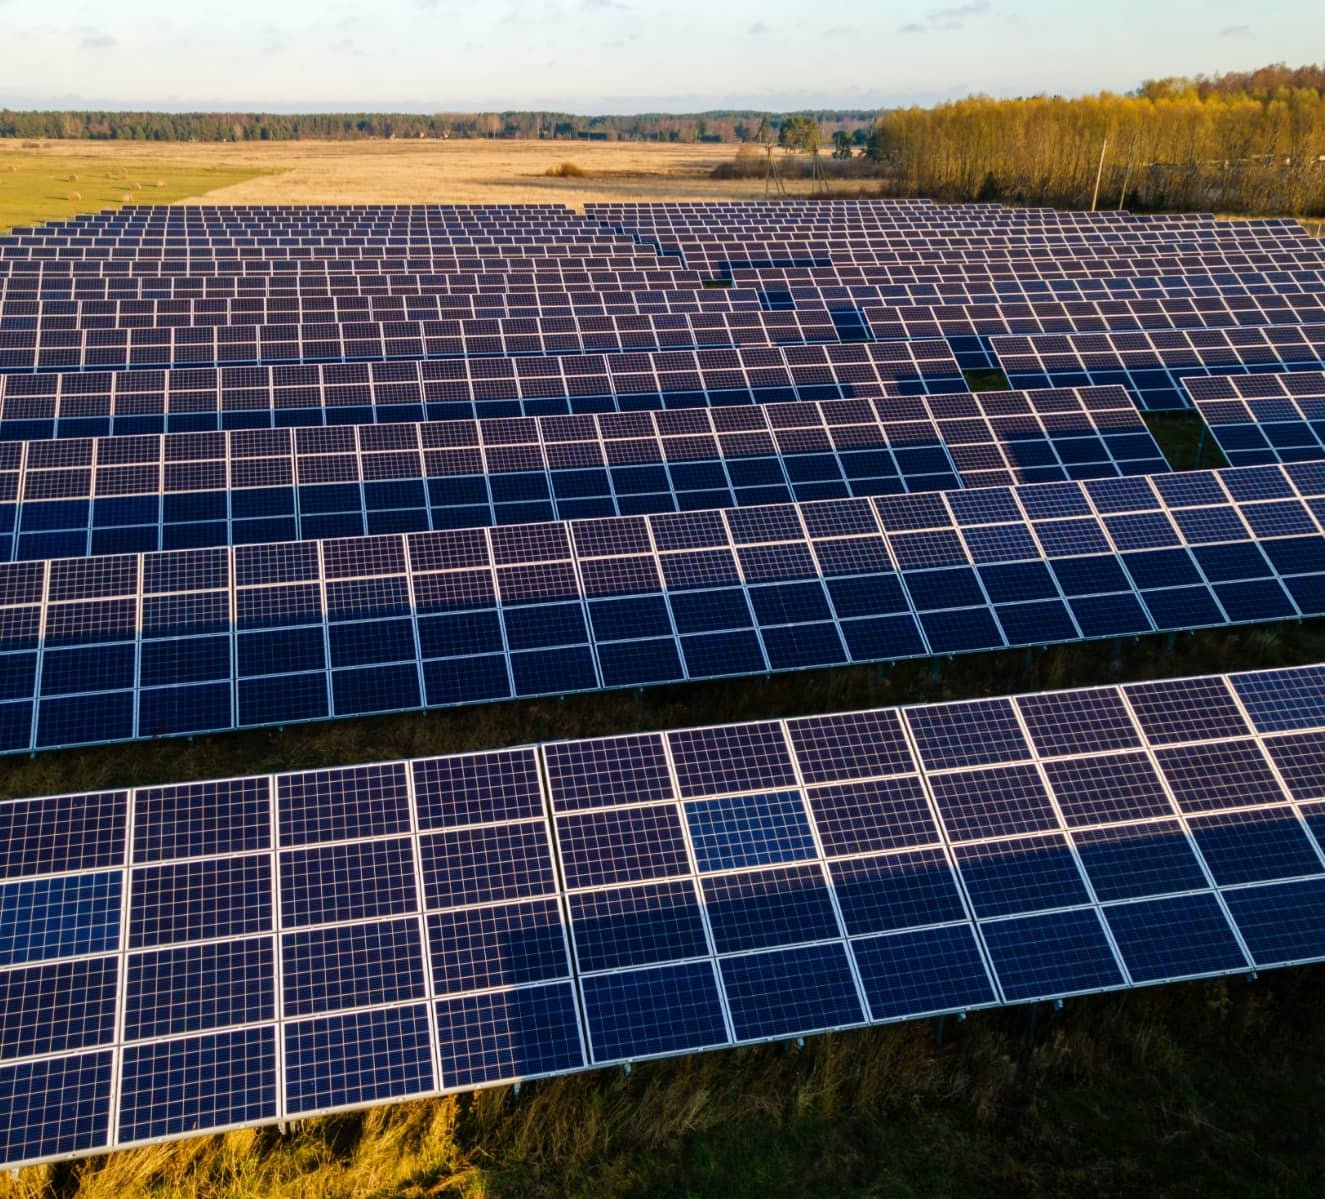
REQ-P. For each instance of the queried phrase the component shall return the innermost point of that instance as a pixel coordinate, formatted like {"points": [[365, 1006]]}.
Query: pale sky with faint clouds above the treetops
{"points": [[619, 56]]}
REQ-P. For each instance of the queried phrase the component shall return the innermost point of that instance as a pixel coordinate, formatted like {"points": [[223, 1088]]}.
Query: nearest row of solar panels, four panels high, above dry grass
{"points": [[191, 959]]}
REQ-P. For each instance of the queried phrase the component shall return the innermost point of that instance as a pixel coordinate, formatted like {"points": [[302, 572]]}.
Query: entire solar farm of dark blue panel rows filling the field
{"points": [[263, 466]]}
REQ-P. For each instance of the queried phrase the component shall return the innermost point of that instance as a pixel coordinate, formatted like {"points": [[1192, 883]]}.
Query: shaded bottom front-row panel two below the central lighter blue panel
{"points": [[790, 992]]}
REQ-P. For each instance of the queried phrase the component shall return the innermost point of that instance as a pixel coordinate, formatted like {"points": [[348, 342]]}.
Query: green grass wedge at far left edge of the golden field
{"points": [[38, 187]]}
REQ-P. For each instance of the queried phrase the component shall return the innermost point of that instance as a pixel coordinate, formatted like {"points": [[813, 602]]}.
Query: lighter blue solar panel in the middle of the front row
{"points": [[749, 831]]}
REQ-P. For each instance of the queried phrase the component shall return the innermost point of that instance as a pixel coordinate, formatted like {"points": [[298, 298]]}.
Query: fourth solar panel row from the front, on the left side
{"points": [[97, 405]]}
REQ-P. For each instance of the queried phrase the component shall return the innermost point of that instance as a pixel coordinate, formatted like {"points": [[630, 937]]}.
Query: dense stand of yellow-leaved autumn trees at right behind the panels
{"points": [[1173, 145]]}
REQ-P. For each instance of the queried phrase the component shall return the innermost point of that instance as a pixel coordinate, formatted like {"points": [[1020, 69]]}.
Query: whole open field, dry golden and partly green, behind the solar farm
{"points": [[40, 183]]}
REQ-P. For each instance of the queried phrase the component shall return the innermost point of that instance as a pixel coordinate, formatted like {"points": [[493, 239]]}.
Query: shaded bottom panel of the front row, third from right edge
{"points": [[1043, 957]]}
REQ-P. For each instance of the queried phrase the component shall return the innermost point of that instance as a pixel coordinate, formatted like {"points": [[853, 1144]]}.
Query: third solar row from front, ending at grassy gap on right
{"points": [[127, 495]]}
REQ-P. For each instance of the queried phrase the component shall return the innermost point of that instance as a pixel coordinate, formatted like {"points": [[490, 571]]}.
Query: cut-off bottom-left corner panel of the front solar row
{"points": [[56, 1107]]}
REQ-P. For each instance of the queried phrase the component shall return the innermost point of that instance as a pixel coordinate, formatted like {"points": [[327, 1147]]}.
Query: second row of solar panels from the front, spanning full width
{"points": [[128, 647]]}
